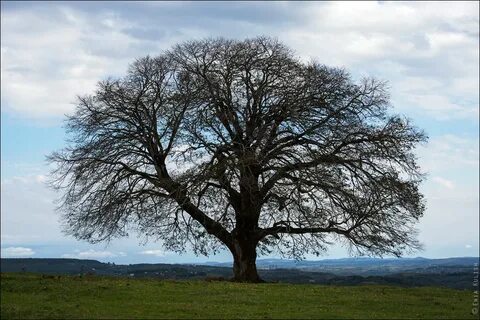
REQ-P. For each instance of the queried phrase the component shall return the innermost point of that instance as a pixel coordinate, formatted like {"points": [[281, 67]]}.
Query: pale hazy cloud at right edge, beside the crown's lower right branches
{"points": [[451, 192]]}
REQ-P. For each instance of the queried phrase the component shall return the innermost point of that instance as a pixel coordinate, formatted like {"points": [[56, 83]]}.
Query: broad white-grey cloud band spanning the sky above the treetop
{"points": [[58, 53]]}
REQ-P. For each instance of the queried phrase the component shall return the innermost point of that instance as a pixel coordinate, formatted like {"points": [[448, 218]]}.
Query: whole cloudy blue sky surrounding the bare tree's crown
{"points": [[53, 51]]}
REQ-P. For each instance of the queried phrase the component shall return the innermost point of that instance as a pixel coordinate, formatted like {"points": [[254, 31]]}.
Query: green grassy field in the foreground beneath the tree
{"points": [[33, 296]]}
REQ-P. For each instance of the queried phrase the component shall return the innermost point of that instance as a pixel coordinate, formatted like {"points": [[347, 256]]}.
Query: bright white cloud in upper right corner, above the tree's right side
{"points": [[427, 51]]}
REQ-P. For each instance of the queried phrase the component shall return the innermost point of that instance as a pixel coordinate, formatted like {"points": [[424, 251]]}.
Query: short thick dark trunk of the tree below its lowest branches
{"points": [[244, 261]]}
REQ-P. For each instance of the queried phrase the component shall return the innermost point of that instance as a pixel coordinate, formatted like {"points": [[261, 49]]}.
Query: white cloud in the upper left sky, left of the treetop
{"points": [[62, 54]]}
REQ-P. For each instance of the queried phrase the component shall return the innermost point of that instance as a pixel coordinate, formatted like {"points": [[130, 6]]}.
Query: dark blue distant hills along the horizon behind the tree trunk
{"points": [[451, 272]]}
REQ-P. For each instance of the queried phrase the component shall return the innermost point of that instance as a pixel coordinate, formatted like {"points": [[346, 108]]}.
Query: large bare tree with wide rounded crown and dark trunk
{"points": [[240, 144]]}
